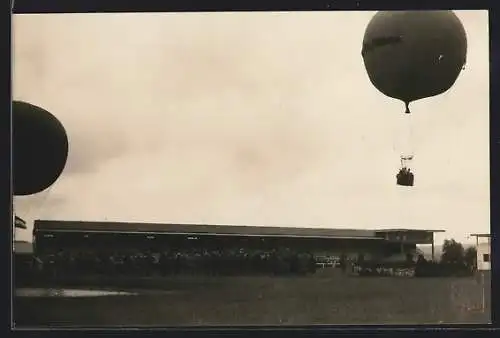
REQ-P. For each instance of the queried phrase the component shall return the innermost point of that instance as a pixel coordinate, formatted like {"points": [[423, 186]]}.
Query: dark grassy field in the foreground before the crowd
{"points": [[325, 298]]}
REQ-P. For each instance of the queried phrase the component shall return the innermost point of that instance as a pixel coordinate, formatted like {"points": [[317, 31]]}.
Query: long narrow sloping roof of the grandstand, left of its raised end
{"points": [[221, 230]]}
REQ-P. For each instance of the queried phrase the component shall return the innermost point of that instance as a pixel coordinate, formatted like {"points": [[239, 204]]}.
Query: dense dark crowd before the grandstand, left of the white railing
{"points": [[191, 261]]}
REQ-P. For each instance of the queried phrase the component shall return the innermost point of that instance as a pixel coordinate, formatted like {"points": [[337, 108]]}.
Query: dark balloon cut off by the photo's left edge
{"points": [[39, 148]]}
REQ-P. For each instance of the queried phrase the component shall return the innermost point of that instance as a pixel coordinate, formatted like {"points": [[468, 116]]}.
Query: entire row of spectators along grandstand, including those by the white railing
{"points": [[200, 261]]}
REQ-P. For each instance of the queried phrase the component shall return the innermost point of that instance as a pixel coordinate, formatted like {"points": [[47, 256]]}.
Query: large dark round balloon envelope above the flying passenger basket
{"points": [[411, 55]]}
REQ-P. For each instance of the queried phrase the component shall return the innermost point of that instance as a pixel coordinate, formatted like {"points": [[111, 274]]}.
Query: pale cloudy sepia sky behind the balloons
{"points": [[248, 119]]}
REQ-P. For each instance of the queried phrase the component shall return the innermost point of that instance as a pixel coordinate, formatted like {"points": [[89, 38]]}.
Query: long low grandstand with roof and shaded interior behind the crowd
{"points": [[52, 236]]}
